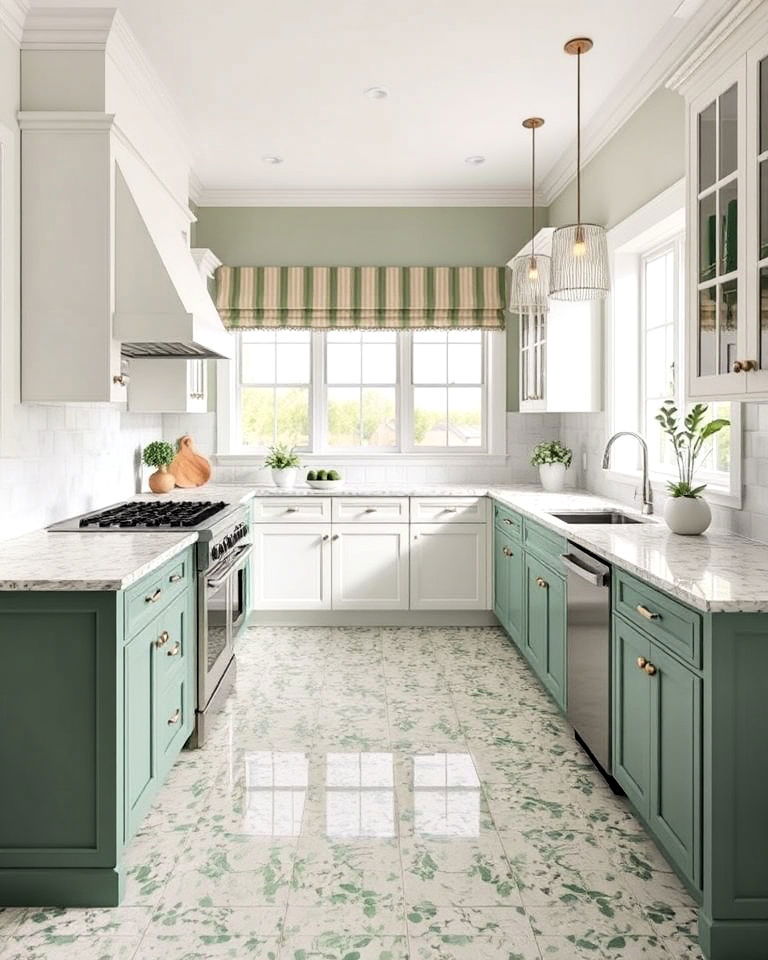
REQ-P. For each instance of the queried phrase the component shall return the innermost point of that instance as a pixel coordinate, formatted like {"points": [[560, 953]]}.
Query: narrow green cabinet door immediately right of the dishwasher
{"points": [[631, 713]]}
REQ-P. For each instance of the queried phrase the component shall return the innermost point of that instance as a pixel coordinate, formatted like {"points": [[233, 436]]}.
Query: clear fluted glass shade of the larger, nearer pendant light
{"points": [[579, 263]]}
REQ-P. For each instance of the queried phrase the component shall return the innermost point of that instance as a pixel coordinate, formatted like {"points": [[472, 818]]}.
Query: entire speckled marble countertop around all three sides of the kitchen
{"points": [[717, 572]]}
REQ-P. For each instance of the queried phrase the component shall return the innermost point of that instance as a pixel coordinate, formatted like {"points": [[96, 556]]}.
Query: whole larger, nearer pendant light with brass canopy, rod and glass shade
{"points": [[580, 250]]}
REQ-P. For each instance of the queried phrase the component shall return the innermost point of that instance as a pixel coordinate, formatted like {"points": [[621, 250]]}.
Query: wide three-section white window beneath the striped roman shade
{"points": [[368, 391]]}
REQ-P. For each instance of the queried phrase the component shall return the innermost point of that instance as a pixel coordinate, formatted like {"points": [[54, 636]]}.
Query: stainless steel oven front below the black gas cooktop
{"points": [[222, 610]]}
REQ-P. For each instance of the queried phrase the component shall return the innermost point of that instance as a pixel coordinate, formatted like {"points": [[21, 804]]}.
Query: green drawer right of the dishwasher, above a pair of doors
{"points": [[671, 623]]}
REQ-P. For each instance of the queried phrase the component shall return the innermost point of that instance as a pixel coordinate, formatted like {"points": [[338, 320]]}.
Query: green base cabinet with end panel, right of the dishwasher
{"points": [[690, 727]]}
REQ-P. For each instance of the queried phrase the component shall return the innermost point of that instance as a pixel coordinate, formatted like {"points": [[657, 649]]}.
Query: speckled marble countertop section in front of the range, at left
{"points": [[85, 561]]}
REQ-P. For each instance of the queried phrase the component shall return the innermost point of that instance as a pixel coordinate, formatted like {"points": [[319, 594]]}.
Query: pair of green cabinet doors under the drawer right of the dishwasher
{"points": [[657, 743]]}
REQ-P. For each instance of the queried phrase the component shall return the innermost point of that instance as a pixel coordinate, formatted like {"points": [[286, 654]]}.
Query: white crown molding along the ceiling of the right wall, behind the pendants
{"points": [[664, 55]]}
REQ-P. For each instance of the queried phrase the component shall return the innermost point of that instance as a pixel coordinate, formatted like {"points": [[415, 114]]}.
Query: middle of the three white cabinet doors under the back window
{"points": [[370, 566]]}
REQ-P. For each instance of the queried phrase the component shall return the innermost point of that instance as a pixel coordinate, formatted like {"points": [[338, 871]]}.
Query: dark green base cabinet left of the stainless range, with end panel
{"points": [[96, 700]]}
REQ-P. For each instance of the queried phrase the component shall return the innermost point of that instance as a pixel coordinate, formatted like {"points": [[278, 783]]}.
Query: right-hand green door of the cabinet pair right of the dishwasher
{"points": [[675, 785]]}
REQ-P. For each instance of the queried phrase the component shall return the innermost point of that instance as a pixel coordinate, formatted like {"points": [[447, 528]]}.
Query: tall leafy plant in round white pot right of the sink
{"points": [[686, 512]]}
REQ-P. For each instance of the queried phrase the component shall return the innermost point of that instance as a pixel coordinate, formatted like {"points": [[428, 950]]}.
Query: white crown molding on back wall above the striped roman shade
{"points": [[367, 197]]}
